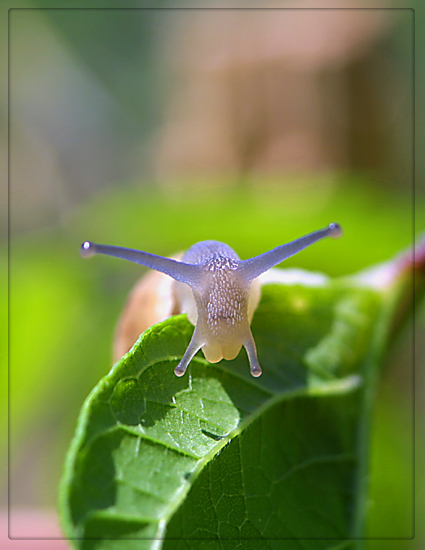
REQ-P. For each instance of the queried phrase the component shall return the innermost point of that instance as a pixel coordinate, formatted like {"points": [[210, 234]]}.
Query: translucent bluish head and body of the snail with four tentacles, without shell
{"points": [[217, 290]]}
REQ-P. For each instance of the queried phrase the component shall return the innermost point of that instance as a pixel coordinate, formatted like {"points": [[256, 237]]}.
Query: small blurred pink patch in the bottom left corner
{"points": [[36, 529]]}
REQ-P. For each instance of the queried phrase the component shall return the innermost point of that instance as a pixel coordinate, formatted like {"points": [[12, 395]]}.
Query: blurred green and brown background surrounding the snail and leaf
{"points": [[155, 129]]}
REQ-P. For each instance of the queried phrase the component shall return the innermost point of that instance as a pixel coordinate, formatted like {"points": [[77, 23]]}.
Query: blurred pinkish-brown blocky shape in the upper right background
{"points": [[275, 91]]}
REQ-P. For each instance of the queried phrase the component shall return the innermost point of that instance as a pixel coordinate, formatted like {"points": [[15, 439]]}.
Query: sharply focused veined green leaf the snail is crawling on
{"points": [[165, 462]]}
